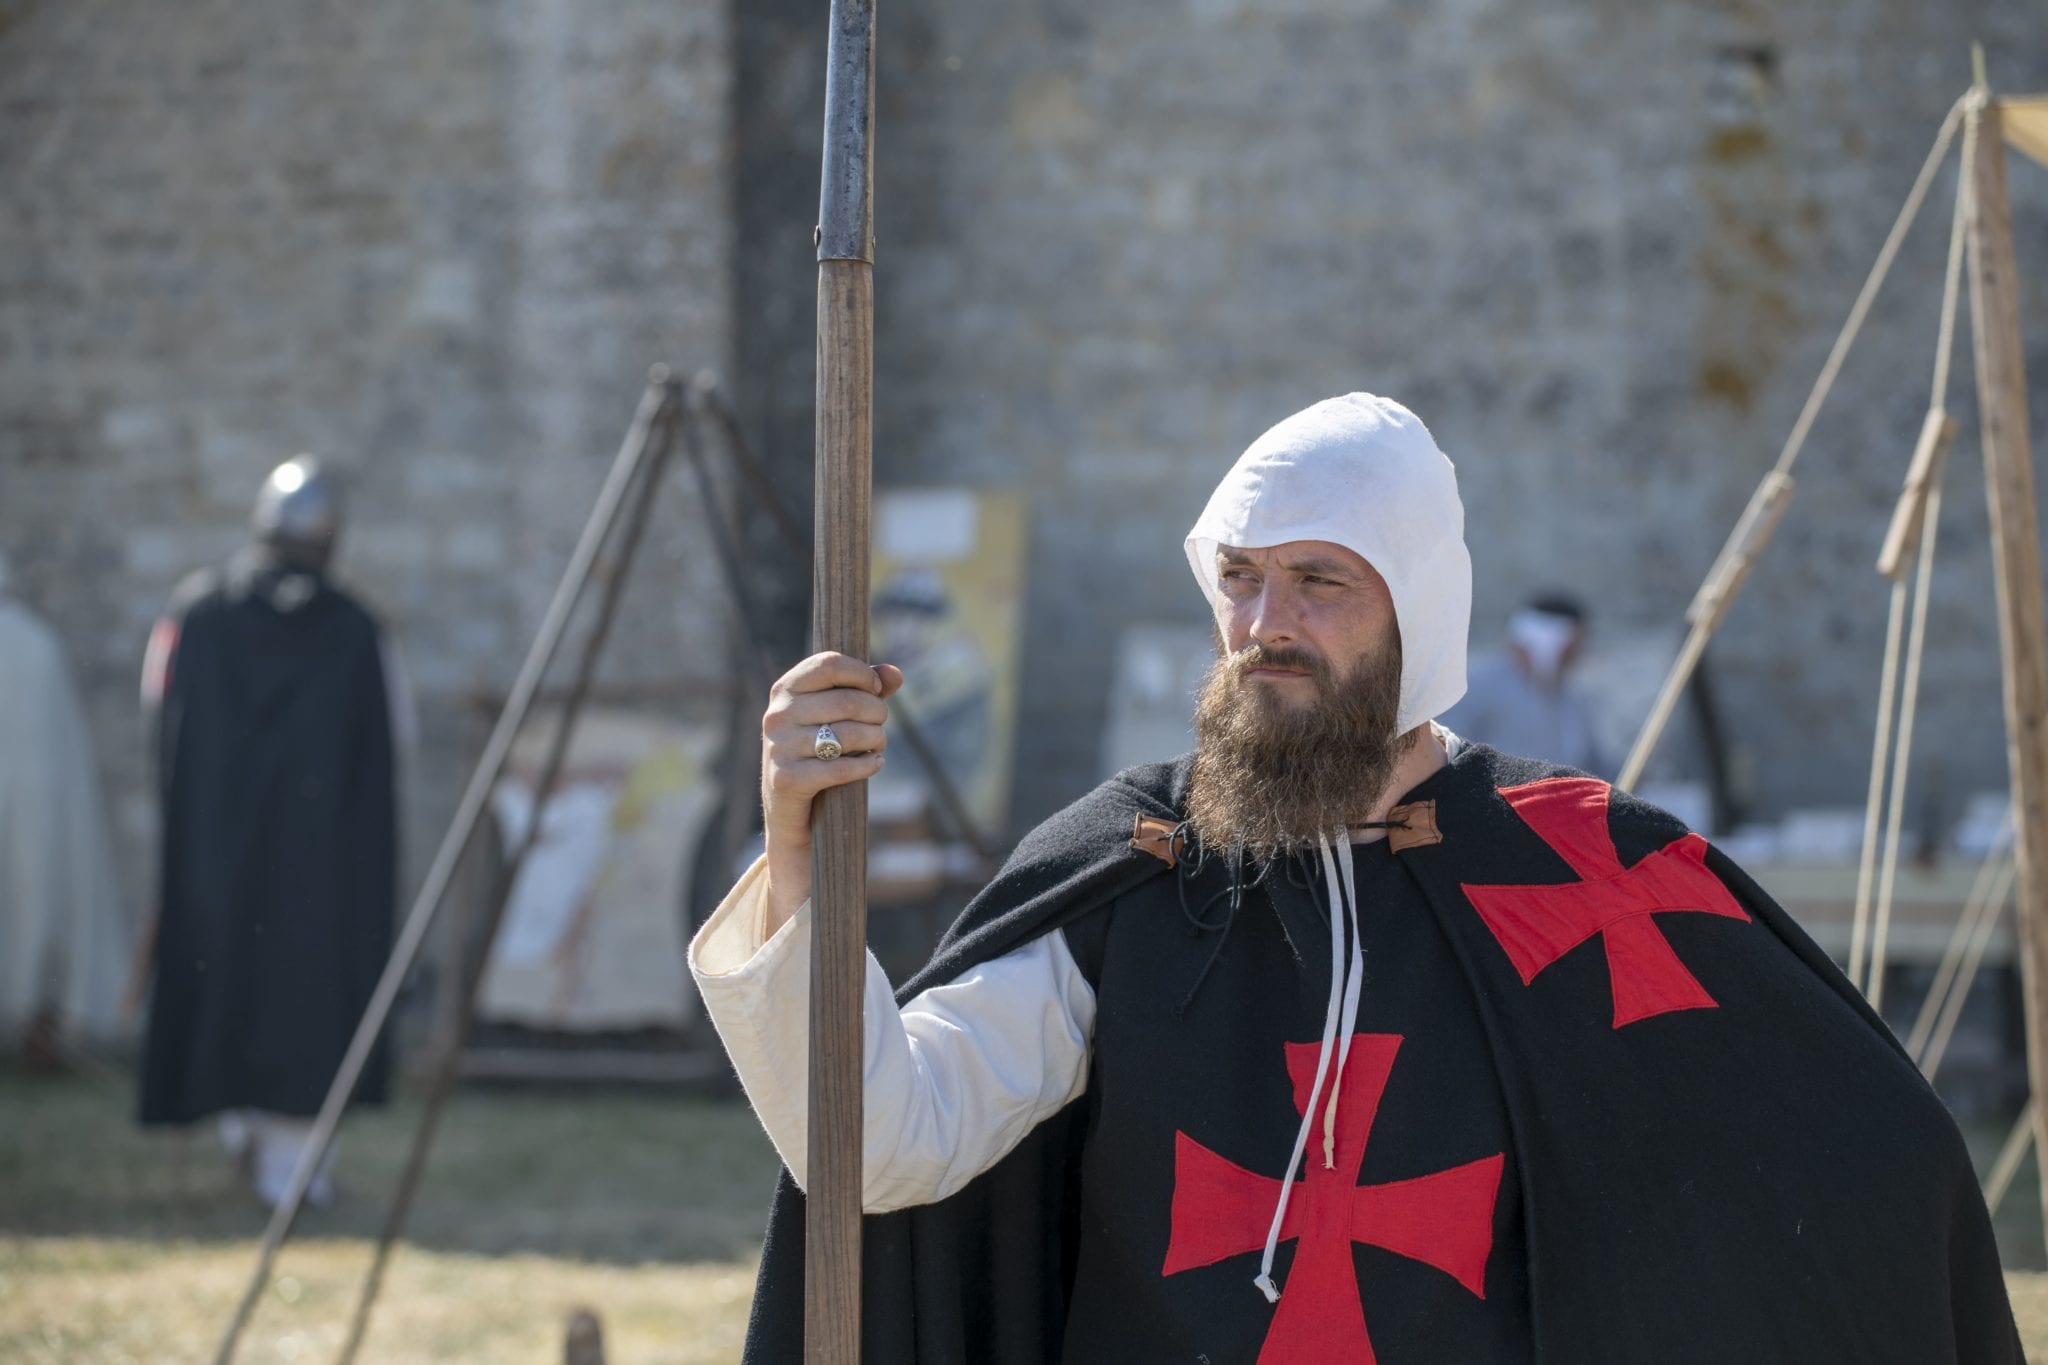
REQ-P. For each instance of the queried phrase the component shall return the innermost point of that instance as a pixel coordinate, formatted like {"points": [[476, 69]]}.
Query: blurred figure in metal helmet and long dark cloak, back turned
{"points": [[271, 701]]}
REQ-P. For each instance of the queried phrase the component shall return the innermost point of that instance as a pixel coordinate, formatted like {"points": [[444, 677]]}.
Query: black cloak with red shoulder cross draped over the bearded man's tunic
{"points": [[1723, 1153]]}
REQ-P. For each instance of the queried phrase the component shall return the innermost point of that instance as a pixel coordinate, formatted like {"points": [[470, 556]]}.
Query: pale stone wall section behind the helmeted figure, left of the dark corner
{"points": [[439, 245]]}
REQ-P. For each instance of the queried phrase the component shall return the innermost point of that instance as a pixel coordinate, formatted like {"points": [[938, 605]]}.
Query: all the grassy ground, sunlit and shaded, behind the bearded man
{"points": [[122, 1247]]}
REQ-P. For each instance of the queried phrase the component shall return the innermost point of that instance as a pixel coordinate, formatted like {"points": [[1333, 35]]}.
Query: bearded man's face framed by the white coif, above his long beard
{"points": [[1302, 599]]}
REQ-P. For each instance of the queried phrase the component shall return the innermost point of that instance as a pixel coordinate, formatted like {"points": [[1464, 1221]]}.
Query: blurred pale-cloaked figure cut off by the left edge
{"points": [[65, 936]]}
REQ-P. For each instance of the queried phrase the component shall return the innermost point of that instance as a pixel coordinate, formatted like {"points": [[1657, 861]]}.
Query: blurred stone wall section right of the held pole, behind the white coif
{"points": [[1603, 251]]}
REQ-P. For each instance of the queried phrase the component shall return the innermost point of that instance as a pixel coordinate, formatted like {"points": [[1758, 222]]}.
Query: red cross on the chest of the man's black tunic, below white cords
{"points": [[1224, 1210]]}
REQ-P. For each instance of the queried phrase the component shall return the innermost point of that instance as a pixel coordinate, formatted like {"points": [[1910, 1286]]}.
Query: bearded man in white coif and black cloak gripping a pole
{"points": [[1342, 1041]]}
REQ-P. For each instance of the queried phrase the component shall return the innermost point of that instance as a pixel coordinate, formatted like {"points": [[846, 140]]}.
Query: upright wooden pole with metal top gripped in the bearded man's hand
{"points": [[841, 621]]}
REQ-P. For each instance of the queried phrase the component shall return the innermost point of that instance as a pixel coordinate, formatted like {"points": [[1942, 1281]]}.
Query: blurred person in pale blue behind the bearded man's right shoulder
{"points": [[1525, 703]]}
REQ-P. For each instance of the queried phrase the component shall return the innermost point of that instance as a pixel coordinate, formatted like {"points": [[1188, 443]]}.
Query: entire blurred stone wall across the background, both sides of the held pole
{"points": [[1601, 249]]}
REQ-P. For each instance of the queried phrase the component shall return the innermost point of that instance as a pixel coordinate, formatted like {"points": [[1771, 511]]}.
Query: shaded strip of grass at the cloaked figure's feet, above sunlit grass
{"points": [[591, 1176]]}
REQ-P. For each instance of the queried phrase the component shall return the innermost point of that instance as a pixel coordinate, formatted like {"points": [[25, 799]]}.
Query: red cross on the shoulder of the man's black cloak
{"points": [[1541, 924]]}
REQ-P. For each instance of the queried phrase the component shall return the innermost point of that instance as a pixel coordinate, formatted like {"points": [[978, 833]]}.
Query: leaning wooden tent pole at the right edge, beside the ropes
{"points": [[2002, 400]]}
